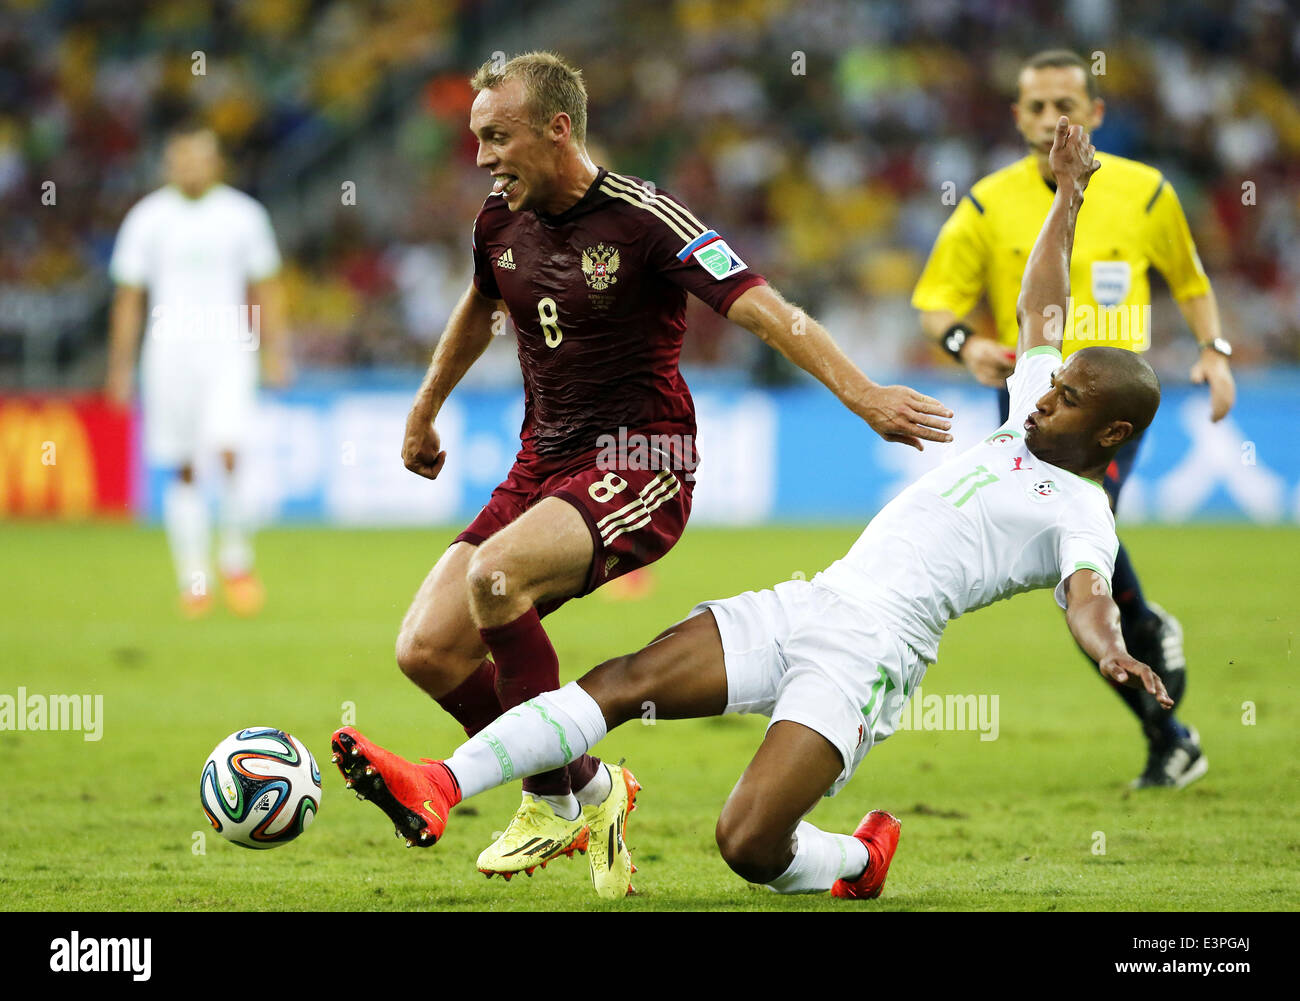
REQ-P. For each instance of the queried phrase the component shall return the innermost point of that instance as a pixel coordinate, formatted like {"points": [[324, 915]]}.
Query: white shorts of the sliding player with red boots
{"points": [[804, 655]]}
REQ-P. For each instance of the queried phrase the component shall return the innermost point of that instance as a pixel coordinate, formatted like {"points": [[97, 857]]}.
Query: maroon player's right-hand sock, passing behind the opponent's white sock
{"points": [[527, 666]]}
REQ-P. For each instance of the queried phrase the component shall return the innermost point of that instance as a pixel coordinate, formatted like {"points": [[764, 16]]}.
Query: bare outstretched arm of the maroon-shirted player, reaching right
{"points": [[896, 414]]}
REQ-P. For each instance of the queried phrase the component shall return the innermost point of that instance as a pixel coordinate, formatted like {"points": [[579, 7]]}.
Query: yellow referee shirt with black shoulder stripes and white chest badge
{"points": [[1130, 222]]}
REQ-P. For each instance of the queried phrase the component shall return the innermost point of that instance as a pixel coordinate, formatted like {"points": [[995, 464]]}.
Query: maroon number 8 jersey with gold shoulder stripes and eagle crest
{"points": [[599, 298]]}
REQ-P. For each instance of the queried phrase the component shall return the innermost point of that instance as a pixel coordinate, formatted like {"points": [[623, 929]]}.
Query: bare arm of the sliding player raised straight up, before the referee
{"points": [[1046, 288]]}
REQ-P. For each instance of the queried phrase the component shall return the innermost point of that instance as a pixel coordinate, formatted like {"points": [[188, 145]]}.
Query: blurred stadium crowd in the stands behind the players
{"points": [[817, 137]]}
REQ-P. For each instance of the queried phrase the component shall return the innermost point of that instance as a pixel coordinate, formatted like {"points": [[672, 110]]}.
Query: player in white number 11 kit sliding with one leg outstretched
{"points": [[833, 661]]}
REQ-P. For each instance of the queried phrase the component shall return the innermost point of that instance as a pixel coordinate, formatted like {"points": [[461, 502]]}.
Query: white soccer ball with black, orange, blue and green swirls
{"points": [[261, 788]]}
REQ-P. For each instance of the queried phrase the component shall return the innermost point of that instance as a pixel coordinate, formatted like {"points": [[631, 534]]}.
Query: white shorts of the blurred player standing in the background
{"points": [[197, 398]]}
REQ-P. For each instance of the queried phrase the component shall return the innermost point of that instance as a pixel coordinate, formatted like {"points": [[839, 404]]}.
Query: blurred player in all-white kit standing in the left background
{"points": [[205, 258]]}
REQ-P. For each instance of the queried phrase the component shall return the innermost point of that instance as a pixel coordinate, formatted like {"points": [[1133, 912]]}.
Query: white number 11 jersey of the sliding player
{"points": [[989, 525]]}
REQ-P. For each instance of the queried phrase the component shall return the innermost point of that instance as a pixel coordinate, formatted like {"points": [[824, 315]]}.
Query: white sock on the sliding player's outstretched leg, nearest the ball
{"points": [[543, 734]]}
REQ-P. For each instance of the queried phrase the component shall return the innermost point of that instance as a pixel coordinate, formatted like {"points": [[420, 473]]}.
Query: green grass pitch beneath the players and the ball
{"points": [[1006, 825]]}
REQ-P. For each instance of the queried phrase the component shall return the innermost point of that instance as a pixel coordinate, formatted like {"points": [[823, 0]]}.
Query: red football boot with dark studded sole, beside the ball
{"points": [[417, 798]]}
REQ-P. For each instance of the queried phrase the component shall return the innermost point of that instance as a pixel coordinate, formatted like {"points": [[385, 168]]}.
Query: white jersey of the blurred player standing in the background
{"points": [[197, 258]]}
